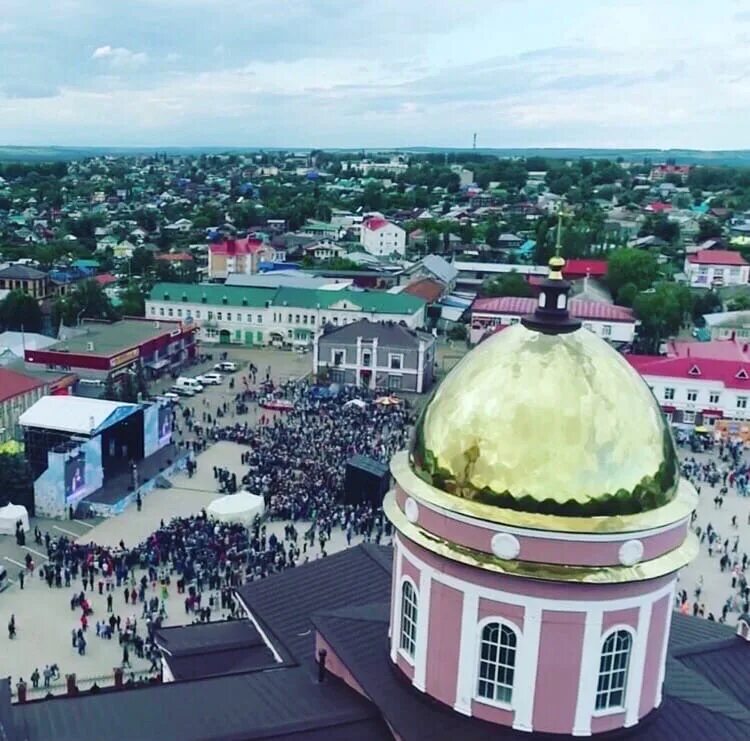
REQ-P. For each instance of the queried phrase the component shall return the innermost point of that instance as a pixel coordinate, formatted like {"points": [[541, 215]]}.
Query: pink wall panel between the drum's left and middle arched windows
{"points": [[444, 645]]}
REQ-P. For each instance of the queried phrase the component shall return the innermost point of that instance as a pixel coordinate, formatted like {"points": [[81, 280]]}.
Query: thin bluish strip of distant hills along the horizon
{"points": [[734, 157]]}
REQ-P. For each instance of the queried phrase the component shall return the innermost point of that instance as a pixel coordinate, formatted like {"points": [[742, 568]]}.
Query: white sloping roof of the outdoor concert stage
{"points": [[76, 414]]}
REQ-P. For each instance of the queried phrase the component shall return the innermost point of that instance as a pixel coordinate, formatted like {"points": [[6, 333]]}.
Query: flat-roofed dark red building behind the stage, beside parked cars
{"points": [[96, 349]]}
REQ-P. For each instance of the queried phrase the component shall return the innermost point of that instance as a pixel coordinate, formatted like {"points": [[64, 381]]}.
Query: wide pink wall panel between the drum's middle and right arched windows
{"points": [[558, 669]]}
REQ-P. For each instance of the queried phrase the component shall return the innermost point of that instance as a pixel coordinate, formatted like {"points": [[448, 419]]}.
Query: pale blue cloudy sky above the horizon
{"points": [[332, 73]]}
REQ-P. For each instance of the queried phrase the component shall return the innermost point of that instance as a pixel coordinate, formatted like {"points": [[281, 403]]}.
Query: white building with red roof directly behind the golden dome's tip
{"points": [[613, 323]]}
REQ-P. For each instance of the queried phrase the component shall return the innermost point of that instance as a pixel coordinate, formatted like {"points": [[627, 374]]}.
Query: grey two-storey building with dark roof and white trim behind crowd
{"points": [[376, 355]]}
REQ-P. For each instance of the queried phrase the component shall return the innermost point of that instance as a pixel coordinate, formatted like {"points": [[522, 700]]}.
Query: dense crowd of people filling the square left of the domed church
{"points": [[295, 459]]}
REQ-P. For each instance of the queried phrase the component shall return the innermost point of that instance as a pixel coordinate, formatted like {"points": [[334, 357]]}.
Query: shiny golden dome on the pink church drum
{"points": [[550, 423]]}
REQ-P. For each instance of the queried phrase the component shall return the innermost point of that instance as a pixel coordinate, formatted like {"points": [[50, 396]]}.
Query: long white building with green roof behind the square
{"points": [[282, 316]]}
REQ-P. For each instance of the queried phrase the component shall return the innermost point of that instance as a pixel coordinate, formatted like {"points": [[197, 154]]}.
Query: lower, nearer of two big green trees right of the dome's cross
{"points": [[661, 312]]}
